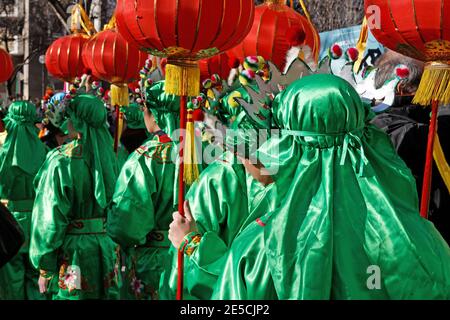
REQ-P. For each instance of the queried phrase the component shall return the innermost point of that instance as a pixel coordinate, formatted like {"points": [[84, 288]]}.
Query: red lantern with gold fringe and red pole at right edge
{"points": [[419, 29]]}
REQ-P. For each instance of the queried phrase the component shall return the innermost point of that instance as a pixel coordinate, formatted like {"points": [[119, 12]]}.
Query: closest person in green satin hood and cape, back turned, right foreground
{"points": [[348, 227]]}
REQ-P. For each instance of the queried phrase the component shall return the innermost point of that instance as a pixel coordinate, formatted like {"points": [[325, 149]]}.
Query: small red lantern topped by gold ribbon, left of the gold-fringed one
{"points": [[63, 58]]}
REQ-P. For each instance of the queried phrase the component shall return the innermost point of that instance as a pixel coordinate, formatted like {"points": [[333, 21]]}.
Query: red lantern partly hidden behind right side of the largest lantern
{"points": [[269, 34]]}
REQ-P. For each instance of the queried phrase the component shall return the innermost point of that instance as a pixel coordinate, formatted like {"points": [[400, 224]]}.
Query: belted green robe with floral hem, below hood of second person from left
{"points": [[68, 236]]}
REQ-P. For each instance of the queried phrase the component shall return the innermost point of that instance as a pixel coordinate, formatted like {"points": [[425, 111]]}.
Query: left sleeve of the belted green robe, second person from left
{"points": [[50, 213]]}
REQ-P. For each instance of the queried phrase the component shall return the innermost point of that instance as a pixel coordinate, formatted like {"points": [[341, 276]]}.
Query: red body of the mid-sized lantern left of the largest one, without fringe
{"points": [[111, 58]]}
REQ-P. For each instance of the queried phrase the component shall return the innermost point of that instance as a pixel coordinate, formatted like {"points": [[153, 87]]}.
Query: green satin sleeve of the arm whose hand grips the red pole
{"points": [[219, 205]]}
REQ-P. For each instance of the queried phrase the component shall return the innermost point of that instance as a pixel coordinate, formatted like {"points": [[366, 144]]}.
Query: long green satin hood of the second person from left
{"points": [[88, 117]]}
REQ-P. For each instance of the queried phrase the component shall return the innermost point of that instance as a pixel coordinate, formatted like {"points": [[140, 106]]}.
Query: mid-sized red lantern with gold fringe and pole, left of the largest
{"points": [[113, 59]]}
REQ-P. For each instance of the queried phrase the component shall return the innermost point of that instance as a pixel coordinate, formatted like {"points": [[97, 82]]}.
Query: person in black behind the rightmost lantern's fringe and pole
{"points": [[407, 125]]}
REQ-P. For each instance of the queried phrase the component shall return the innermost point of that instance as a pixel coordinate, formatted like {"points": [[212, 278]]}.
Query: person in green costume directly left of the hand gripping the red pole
{"points": [[143, 201]]}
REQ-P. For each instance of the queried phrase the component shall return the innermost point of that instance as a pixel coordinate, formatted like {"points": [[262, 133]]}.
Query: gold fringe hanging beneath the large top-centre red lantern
{"points": [[182, 78]]}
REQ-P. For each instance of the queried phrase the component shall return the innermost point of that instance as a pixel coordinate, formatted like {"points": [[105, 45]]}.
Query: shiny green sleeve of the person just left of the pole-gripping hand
{"points": [[131, 216]]}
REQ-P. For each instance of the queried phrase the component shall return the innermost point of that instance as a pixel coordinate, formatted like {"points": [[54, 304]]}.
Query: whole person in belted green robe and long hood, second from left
{"points": [[69, 245]]}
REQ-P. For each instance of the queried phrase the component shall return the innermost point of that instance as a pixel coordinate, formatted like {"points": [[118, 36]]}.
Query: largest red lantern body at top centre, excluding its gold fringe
{"points": [[185, 29]]}
